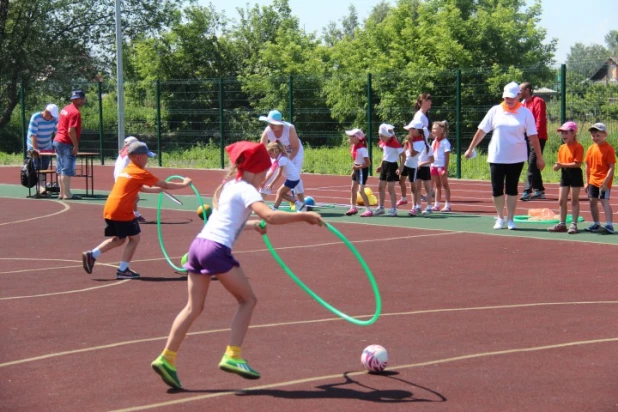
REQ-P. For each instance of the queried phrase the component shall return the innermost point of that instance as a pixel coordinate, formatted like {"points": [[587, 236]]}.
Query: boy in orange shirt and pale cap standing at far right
{"points": [[600, 162]]}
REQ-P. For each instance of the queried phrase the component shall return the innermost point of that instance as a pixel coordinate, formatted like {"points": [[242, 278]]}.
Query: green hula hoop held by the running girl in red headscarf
{"points": [[326, 305]]}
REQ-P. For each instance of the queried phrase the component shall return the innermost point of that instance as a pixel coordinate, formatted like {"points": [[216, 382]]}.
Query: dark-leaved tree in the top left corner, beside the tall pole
{"points": [[65, 41]]}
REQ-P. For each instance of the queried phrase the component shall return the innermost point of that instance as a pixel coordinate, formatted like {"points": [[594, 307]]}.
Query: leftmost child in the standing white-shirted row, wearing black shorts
{"points": [[360, 171]]}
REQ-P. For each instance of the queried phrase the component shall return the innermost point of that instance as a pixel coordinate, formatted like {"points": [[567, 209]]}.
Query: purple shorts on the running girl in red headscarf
{"points": [[209, 258]]}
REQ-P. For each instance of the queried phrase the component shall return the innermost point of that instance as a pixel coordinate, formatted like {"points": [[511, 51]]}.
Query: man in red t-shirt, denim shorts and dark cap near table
{"points": [[66, 143]]}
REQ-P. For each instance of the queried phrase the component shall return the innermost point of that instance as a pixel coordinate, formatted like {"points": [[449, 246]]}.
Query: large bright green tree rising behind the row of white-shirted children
{"points": [[417, 45]]}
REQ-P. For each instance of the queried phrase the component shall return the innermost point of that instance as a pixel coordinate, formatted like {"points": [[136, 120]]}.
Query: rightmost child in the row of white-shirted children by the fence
{"points": [[439, 167]]}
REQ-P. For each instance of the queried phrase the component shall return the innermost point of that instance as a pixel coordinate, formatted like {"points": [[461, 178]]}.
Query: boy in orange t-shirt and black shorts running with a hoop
{"points": [[120, 221]]}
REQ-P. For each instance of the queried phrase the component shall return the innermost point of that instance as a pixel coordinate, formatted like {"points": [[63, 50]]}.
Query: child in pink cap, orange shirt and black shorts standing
{"points": [[570, 159]]}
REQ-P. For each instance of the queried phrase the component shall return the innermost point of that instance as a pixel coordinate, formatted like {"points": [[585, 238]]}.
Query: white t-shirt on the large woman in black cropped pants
{"points": [[508, 141]]}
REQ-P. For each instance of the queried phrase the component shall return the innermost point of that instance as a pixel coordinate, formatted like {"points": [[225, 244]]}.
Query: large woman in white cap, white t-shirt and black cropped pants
{"points": [[510, 122]]}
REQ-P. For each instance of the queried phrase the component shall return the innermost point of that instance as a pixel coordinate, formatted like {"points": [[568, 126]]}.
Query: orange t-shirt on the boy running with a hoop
{"points": [[120, 202]]}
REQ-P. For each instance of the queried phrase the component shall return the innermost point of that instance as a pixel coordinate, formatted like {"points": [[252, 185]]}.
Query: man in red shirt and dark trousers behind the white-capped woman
{"points": [[536, 105]]}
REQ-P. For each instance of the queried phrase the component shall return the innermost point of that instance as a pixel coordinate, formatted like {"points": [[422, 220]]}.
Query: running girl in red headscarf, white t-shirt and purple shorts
{"points": [[210, 254]]}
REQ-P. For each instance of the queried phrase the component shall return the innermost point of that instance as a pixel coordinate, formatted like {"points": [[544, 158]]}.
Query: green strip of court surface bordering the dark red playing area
{"points": [[453, 222]]}
